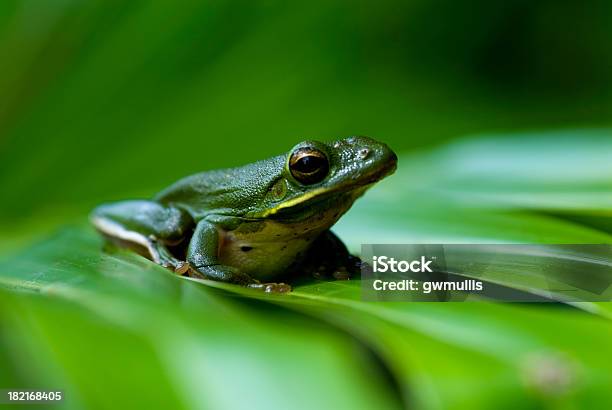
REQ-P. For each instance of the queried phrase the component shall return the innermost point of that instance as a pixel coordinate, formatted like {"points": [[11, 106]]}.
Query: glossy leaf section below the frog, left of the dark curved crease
{"points": [[111, 330]]}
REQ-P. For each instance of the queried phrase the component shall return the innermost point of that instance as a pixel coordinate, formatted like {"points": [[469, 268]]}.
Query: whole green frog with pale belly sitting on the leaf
{"points": [[253, 224]]}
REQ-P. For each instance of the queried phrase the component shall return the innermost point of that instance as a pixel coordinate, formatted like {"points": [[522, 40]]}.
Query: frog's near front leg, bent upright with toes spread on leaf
{"points": [[202, 256]]}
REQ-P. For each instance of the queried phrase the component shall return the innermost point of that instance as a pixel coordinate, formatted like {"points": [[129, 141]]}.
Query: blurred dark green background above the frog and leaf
{"points": [[105, 99]]}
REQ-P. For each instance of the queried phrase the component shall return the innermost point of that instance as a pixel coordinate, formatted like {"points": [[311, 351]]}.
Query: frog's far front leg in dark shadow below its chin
{"points": [[328, 257]]}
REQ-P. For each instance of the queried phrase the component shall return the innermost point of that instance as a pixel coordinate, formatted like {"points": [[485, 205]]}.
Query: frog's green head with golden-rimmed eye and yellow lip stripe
{"points": [[320, 181]]}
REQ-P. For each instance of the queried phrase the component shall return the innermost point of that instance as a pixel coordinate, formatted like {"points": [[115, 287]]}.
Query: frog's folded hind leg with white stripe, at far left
{"points": [[146, 227]]}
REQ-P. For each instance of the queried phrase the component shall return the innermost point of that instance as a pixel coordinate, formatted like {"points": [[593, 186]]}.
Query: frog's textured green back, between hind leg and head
{"points": [[231, 191]]}
